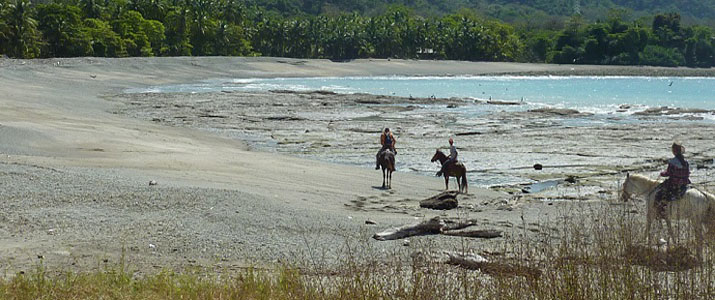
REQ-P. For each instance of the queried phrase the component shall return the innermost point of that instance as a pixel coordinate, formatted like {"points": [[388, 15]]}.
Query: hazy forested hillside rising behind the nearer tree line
{"points": [[691, 11]]}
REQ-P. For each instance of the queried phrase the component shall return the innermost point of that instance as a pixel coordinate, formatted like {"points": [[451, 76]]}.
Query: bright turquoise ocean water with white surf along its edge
{"points": [[599, 95]]}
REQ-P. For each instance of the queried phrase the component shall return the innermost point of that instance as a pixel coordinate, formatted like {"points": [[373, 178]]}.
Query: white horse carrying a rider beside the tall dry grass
{"points": [[696, 206]]}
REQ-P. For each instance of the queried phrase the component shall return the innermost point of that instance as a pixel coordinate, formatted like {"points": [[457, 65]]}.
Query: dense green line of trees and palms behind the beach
{"points": [[122, 28]]}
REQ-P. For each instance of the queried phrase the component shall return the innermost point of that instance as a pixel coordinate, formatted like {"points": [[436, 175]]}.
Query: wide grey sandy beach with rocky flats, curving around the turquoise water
{"points": [[78, 153]]}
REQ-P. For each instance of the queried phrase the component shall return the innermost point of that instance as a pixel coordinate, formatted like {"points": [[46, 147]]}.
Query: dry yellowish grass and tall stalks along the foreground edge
{"points": [[594, 254]]}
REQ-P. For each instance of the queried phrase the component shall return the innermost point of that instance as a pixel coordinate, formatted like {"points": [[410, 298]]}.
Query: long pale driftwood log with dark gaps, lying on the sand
{"points": [[435, 225]]}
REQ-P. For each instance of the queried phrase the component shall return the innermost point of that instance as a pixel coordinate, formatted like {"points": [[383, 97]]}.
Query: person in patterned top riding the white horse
{"points": [[678, 174]]}
